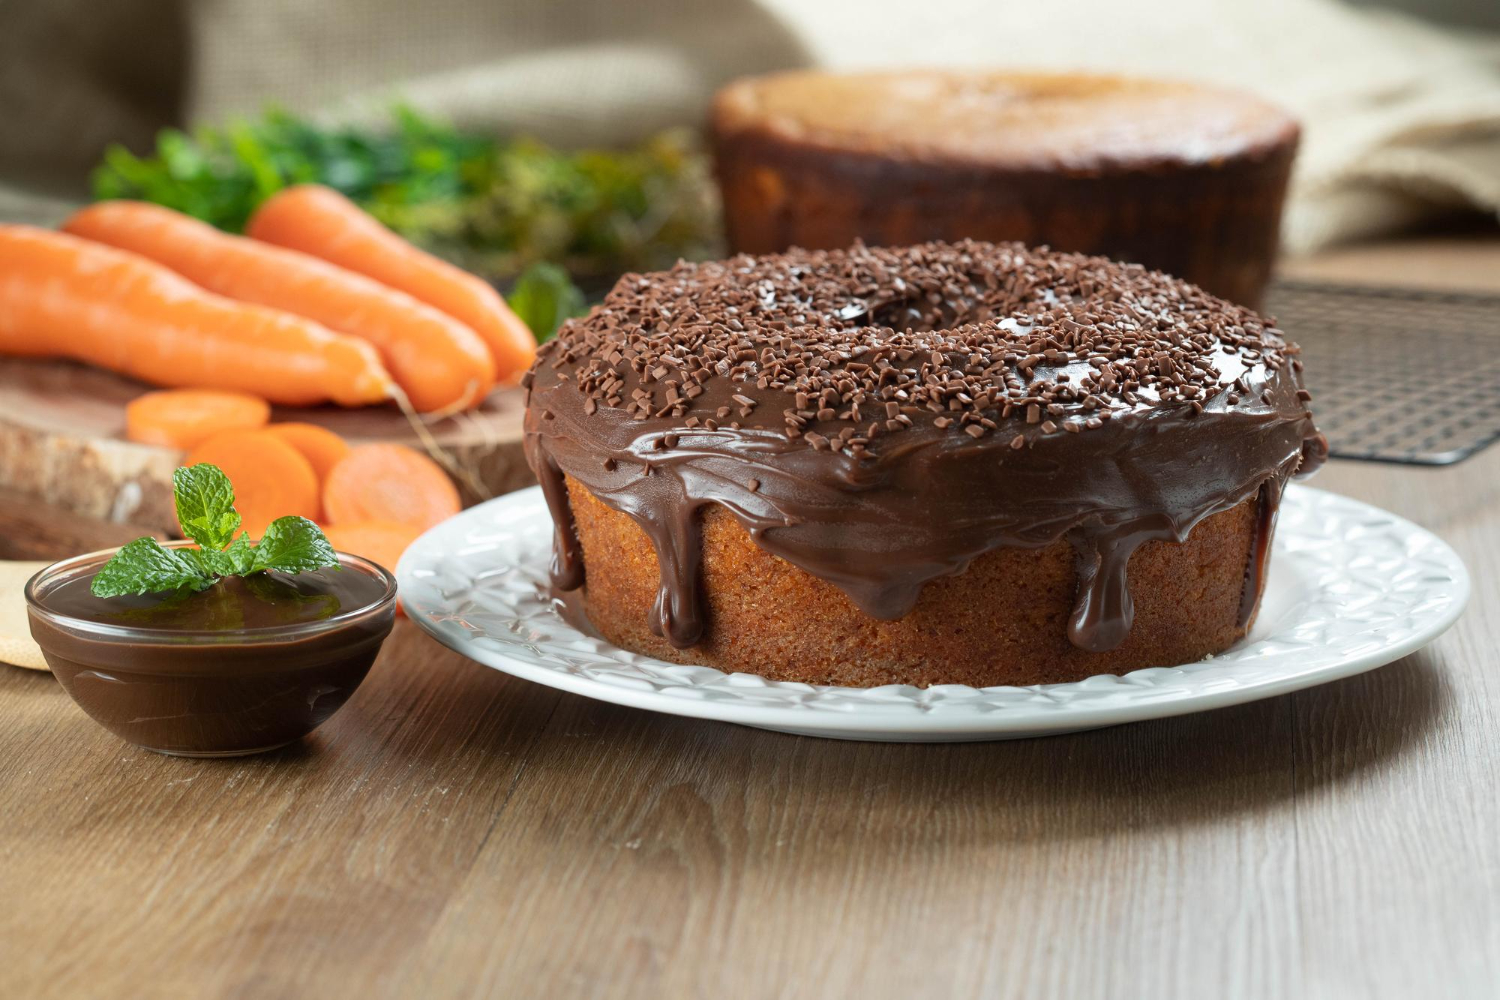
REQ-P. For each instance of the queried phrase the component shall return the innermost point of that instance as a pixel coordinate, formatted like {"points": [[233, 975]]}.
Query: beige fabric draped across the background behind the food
{"points": [[1403, 119]]}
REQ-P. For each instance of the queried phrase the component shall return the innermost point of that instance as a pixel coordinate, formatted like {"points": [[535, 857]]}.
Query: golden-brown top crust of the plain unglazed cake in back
{"points": [[1057, 122]]}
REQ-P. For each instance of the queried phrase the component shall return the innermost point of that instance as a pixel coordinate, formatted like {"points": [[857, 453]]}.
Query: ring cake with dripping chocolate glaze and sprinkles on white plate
{"points": [[946, 464]]}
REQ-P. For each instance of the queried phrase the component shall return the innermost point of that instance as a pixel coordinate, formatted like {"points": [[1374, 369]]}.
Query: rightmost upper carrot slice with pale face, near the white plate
{"points": [[389, 482]]}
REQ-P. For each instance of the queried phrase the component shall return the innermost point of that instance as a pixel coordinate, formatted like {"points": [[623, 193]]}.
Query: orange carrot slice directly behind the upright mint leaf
{"points": [[269, 476]]}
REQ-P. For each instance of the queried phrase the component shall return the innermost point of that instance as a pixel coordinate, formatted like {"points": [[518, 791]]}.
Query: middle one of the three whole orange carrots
{"points": [[437, 361]]}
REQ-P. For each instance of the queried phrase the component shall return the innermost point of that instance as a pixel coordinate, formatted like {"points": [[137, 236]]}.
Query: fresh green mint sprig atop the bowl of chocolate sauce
{"points": [[206, 513]]}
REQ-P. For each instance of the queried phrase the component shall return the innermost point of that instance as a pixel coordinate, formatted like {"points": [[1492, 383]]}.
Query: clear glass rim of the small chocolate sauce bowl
{"points": [[269, 635]]}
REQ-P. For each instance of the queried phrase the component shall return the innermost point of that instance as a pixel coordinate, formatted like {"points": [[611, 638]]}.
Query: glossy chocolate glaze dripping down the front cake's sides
{"points": [[880, 521]]}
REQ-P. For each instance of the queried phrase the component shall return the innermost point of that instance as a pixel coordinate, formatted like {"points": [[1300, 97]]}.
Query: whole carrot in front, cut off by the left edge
{"points": [[68, 298]]}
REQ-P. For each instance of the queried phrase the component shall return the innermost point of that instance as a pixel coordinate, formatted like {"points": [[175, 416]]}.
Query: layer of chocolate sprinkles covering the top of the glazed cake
{"points": [[952, 335]]}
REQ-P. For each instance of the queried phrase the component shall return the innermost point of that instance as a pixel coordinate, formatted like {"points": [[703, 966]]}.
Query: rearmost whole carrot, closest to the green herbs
{"points": [[323, 223]]}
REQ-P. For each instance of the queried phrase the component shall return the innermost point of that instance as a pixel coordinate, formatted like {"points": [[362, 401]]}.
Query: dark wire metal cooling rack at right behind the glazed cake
{"points": [[1397, 376]]}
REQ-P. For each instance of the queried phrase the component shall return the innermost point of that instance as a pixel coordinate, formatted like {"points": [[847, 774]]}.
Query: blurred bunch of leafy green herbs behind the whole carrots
{"points": [[494, 206]]}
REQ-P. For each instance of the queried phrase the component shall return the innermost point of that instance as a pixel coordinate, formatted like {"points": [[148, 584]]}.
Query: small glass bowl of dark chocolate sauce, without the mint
{"points": [[248, 665]]}
